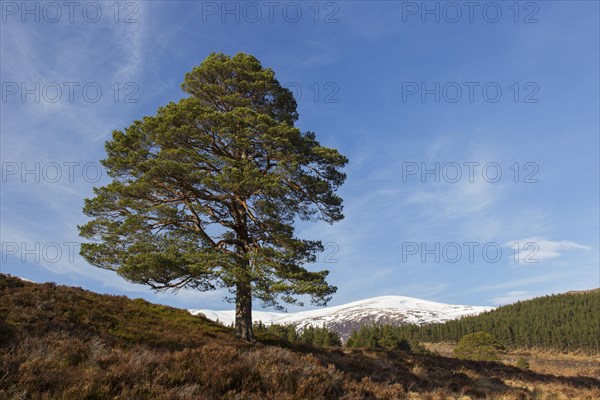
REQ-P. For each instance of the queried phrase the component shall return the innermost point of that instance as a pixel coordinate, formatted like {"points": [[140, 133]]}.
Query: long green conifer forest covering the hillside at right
{"points": [[565, 322]]}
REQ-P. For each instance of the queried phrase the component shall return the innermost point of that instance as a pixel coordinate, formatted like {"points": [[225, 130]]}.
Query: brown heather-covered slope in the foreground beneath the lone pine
{"points": [[60, 342]]}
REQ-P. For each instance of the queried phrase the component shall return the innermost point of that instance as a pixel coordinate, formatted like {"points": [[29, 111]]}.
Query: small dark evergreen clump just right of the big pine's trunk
{"points": [[315, 336]]}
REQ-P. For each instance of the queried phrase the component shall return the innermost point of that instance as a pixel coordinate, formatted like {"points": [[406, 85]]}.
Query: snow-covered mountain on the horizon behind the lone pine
{"points": [[397, 310]]}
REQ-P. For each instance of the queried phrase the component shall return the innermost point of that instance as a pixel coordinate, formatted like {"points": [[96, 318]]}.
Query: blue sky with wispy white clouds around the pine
{"points": [[500, 103]]}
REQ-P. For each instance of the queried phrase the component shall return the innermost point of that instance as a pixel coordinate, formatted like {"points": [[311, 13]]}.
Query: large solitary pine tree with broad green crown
{"points": [[204, 194]]}
